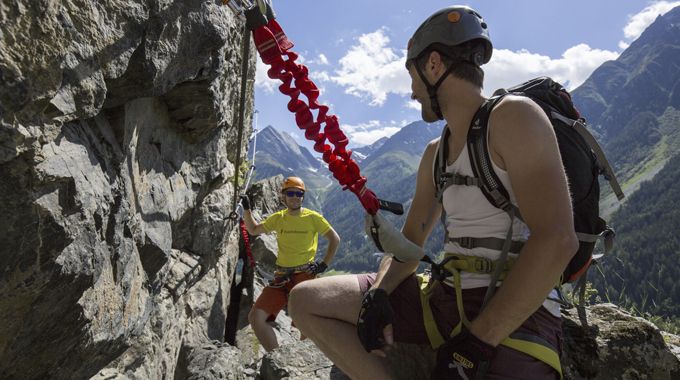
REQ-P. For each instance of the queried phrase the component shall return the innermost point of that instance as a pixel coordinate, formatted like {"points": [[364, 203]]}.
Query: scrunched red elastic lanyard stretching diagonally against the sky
{"points": [[273, 44]]}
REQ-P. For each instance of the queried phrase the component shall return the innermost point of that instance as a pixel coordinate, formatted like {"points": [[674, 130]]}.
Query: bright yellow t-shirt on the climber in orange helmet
{"points": [[296, 235]]}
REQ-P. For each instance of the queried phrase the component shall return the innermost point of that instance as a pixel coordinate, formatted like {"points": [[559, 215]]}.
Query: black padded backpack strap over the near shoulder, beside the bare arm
{"points": [[480, 160]]}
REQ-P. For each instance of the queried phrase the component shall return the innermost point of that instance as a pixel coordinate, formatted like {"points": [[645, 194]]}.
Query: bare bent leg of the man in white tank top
{"points": [[326, 311]]}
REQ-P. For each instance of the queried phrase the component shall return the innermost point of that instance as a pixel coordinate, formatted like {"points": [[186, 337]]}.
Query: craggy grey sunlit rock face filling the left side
{"points": [[119, 125]]}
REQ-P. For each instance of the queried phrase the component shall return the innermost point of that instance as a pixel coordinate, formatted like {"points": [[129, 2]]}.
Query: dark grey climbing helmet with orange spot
{"points": [[452, 26]]}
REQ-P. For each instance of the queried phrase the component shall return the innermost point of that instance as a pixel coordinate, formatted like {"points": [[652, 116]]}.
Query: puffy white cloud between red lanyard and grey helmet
{"points": [[371, 69]]}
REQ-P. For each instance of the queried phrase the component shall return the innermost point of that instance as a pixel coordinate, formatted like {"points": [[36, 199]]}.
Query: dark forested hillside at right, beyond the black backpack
{"points": [[644, 271]]}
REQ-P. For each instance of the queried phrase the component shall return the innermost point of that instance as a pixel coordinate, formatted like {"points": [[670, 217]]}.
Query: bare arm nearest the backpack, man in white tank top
{"points": [[523, 142]]}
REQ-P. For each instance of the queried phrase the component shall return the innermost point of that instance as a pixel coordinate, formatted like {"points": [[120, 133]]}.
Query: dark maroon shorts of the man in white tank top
{"points": [[507, 363]]}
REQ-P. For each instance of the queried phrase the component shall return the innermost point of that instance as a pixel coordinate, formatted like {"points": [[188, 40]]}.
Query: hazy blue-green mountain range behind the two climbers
{"points": [[633, 106]]}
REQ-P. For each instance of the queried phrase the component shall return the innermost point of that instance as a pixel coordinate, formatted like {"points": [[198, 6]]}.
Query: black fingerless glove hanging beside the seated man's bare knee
{"points": [[375, 314]]}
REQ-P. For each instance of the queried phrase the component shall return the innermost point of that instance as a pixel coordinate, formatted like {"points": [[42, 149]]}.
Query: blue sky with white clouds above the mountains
{"points": [[355, 52]]}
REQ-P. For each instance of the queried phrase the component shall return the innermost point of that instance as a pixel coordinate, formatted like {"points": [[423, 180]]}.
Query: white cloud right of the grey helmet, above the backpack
{"points": [[508, 68]]}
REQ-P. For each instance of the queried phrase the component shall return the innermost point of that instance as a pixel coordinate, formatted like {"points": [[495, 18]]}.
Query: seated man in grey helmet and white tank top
{"points": [[355, 319]]}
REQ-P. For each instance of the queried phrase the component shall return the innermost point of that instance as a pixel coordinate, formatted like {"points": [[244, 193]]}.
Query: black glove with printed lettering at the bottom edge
{"points": [[464, 357]]}
